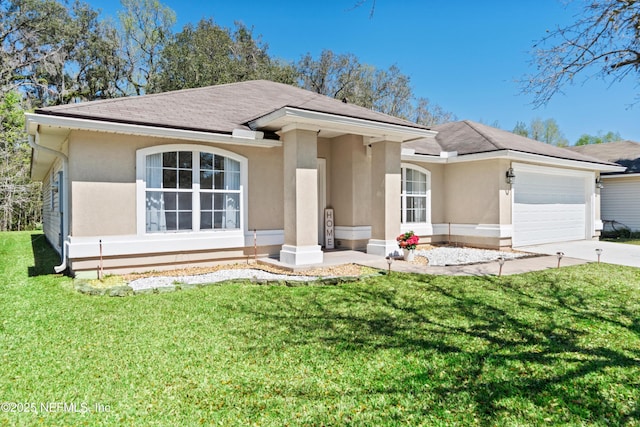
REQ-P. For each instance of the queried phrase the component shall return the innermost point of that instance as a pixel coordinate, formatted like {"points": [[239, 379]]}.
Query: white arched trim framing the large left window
{"points": [[231, 238]]}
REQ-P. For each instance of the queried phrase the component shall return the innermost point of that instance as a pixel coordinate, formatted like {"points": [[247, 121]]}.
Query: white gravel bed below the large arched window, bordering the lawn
{"points": [[217, 276]]}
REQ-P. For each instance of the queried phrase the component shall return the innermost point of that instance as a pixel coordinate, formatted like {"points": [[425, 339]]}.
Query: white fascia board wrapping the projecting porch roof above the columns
{"points": [[346, 124]]}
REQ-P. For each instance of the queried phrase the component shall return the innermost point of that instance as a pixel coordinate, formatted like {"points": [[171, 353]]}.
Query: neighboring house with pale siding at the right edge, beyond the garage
{"points": [[620, 195]]}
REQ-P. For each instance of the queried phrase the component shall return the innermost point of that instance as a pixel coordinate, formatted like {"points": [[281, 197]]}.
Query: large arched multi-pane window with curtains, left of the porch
{"points": [[191, 191]]}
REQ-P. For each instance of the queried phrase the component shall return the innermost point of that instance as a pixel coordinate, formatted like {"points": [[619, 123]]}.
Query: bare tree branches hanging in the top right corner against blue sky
{"points": [[604, 42]]}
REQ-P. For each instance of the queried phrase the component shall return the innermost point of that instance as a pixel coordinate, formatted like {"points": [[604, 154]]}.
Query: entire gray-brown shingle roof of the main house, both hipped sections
{"points": [[223, 108]]}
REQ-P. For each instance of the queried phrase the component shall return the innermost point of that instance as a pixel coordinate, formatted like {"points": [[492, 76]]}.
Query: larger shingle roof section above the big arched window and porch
{"points": [[221, 108]]}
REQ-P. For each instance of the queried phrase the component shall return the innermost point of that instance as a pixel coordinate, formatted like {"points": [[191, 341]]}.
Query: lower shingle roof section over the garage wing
{"points": [[467, 137]]}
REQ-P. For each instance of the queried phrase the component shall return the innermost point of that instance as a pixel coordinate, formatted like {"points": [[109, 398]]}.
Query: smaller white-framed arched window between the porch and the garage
{"points": [[415, 195]]}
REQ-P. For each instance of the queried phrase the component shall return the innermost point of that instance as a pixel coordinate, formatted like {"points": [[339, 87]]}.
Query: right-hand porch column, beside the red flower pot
{"points": [[385, 197]]}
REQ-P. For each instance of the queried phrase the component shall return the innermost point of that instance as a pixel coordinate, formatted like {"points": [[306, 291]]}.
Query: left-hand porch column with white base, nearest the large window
{"points": [[300, 196]]}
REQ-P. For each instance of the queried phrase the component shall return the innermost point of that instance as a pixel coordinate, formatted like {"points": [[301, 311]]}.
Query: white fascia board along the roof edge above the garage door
{"points": [[519, 156]]}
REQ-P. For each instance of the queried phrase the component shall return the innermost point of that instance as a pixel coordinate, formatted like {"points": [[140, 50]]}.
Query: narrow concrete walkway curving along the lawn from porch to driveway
{"points": [[515, 266]]}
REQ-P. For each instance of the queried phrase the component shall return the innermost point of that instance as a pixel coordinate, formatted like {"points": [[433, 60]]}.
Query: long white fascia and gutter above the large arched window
{"points": [[32, 120]]}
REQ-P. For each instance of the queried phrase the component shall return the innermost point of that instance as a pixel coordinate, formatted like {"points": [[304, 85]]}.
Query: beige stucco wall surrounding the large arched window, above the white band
{"points": [[103, 177]]}
